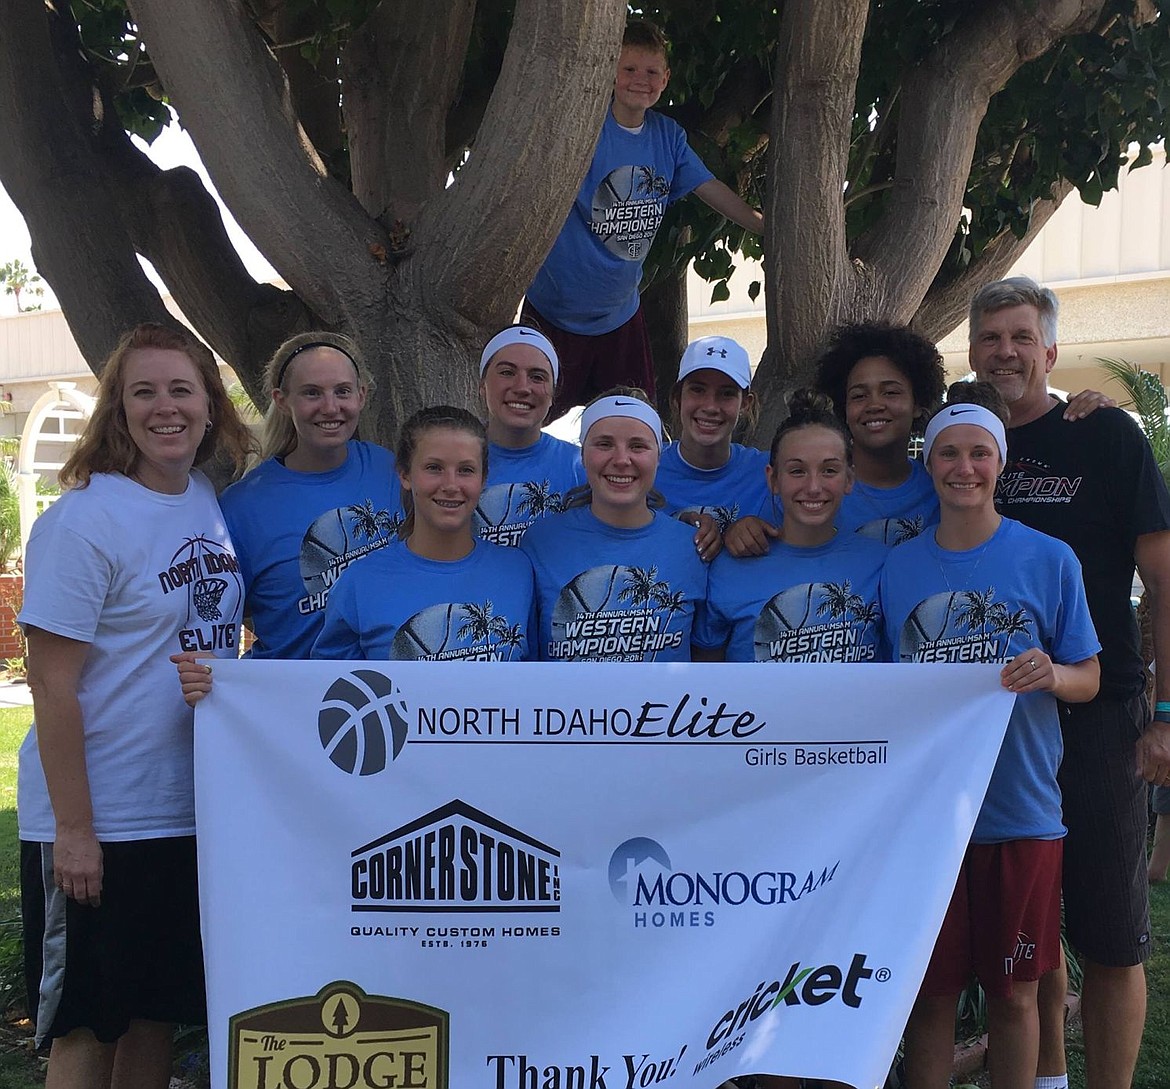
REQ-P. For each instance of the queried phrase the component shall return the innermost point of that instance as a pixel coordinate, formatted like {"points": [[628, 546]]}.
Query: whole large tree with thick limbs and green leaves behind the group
{"points": [[904, 151]]}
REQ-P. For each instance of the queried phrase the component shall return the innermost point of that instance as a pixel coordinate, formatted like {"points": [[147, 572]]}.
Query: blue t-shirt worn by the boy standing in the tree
{"points": [[589, 282]]}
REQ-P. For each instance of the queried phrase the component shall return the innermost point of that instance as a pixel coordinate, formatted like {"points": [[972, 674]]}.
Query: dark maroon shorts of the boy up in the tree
{"points": [[591, 366]]}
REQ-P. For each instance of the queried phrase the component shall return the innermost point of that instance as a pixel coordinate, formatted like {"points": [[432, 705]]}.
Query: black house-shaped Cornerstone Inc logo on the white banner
{"points": [[456, 859]]}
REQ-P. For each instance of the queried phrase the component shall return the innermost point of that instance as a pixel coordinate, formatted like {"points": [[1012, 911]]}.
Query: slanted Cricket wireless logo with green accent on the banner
{"points": [[803, 985]]}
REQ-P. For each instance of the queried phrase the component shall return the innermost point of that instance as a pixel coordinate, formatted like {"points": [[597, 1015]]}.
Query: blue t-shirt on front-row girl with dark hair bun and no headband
{"points": [[797, 605]]}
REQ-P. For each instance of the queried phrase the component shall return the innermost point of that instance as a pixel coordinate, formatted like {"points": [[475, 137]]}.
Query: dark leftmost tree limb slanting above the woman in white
{"points": [[52, 173]]}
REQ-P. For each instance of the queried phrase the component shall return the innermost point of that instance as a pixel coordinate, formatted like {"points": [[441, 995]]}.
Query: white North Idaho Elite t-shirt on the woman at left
{"points": [[139, 576]]}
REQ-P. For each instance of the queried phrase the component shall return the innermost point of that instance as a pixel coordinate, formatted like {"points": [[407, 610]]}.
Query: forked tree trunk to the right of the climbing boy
{"points": [[817, 280]]}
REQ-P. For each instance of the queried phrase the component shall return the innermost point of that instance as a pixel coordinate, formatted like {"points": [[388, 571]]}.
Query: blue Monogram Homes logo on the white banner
{"points": [[643, 878]]}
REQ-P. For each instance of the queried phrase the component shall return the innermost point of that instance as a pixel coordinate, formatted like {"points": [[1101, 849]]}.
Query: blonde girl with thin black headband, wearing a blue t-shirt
{"points": [[320, 501]]}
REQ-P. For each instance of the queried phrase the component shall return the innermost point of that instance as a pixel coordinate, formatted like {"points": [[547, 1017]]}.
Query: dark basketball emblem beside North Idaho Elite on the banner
{"points": [[363, 722]]}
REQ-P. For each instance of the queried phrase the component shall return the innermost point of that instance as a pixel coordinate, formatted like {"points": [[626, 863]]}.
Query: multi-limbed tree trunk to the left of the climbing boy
{"points": [[421, 298]]}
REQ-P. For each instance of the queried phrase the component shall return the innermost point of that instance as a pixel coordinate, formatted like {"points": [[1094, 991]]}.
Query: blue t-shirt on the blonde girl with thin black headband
{"points": [[295, 533]]}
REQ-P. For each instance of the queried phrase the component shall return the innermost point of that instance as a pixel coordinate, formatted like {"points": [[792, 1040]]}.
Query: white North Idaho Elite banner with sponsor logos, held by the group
{"points": [[422, 876]]}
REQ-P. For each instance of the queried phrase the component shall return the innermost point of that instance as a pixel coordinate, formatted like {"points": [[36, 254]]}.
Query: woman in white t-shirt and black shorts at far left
{"points": [[130, 567]]}
